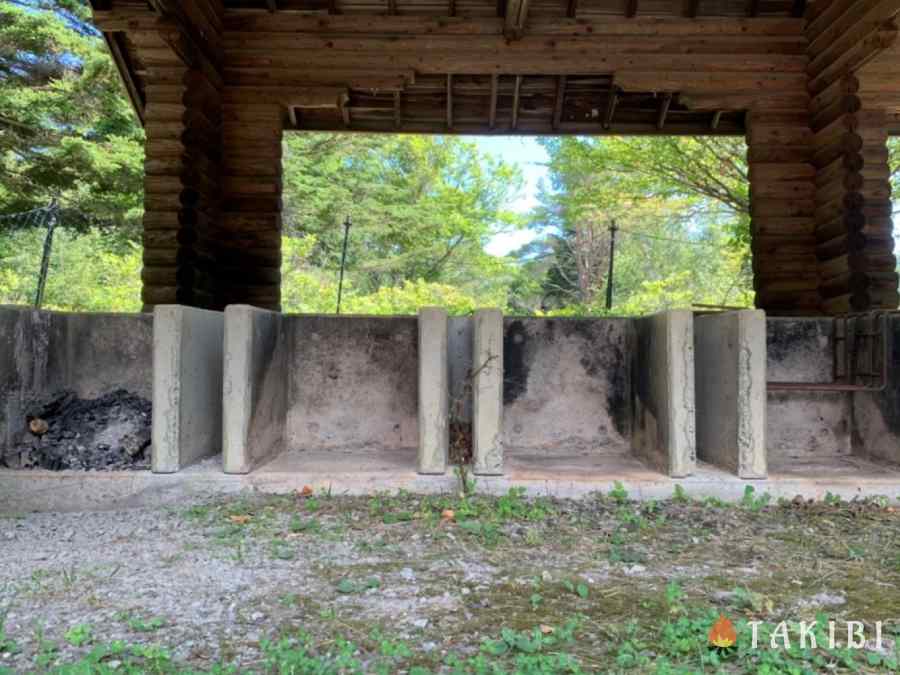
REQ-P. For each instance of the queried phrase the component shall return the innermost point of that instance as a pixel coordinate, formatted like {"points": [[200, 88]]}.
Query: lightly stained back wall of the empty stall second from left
{"points": [[353, 382]]}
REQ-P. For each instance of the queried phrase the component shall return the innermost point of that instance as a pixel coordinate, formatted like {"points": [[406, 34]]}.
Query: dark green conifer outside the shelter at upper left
{"points": [[67, 132]]}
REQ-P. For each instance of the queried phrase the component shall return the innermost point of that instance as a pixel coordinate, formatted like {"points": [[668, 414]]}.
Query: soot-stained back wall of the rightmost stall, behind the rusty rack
{"points": [[804, 425]]}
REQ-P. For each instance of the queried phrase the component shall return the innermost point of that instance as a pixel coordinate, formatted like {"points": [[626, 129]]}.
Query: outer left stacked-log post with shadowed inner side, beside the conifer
{"points": [[182, 200]]}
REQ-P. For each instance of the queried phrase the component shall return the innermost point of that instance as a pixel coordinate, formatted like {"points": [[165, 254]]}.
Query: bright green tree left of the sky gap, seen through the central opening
{"points": [[422, 207]]}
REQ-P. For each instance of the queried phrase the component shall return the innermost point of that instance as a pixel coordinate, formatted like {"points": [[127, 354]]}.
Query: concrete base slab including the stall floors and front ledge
{"points": [[361, 472]]}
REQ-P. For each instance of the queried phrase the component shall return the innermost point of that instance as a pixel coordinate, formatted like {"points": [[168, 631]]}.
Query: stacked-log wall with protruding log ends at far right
{"points": [[854, 233]]}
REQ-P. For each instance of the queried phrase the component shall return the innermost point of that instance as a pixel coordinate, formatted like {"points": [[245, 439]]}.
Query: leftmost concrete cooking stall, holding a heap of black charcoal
{"points": [[94, 373]]}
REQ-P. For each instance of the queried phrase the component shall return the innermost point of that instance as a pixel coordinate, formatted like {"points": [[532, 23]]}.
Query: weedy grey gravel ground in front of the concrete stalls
{"points": [[211, 581]]}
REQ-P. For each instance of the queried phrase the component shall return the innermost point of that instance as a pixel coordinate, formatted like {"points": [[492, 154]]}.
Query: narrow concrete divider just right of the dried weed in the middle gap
{"points": [[487, 398]]}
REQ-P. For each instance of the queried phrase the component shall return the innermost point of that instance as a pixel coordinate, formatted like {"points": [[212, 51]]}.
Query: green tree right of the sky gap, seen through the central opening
{"points": [[680, 241]]}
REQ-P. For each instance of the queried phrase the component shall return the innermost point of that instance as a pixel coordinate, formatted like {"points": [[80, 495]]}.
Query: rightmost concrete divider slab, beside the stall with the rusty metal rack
{"points": [[730, 367]]}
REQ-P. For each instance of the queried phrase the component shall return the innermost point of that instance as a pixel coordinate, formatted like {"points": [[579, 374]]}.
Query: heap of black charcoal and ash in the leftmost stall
{"points": [[66, 432]]}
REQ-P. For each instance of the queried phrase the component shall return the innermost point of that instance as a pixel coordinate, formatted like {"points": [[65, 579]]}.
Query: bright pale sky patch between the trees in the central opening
{"points": [[530, 157]]}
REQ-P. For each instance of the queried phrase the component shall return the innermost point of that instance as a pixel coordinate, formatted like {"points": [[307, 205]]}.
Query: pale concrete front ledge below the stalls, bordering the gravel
{"points": [[25, 491]]}
